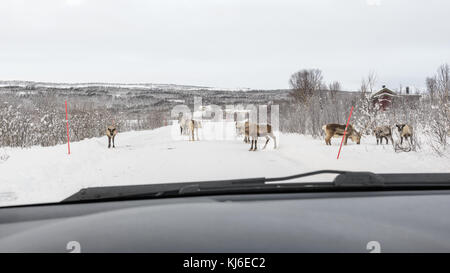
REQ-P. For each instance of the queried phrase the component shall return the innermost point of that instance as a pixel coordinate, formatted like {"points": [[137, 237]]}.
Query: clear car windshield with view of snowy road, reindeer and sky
{"points": [[112, 93]]}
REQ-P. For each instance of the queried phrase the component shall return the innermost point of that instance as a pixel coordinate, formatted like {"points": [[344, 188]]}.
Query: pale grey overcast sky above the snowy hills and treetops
{"points": [[223, 43]]}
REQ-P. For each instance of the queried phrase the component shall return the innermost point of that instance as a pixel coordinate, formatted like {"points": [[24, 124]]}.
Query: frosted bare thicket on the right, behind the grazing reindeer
{"points": [[312, 107]]}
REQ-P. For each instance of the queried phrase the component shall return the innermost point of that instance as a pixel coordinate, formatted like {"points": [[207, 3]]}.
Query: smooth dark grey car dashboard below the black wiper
{"points": [[395, 221]]}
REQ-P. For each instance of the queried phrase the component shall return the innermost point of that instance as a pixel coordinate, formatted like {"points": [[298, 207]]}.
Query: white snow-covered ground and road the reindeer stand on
{"points": [[49, 174]]}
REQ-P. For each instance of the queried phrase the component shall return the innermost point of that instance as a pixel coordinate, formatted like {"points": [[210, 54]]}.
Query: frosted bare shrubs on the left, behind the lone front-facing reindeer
{"points": [[40, 120]]}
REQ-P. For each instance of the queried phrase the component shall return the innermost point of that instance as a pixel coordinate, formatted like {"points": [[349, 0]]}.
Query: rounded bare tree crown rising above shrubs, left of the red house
{"points": [[305, 83]]}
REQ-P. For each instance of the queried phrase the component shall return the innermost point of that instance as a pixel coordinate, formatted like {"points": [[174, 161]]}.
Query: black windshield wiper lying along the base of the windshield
{"points": [[344, 181]]}
